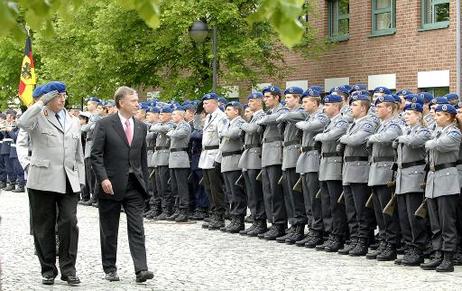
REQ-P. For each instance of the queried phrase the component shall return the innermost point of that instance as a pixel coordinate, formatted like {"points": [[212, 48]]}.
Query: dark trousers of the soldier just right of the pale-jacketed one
{"points": [[237, 198]]}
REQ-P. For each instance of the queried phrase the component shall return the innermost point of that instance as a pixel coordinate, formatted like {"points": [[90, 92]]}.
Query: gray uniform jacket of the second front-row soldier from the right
{"points": [[411, 160]]}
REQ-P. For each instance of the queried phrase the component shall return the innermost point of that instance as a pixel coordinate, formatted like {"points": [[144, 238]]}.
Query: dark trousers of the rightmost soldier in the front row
{"points": [[442, 212]]}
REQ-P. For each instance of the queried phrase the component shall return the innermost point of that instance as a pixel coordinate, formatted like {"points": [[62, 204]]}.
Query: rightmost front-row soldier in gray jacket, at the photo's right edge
{"points": [[442, 188]]}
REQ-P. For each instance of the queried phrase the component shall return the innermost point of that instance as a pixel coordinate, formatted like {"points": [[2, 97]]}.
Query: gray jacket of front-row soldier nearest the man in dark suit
{"points": [[162, 152]]}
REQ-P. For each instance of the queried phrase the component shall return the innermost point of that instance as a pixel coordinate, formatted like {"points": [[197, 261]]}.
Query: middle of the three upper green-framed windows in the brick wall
{"points": [[383, 17]]}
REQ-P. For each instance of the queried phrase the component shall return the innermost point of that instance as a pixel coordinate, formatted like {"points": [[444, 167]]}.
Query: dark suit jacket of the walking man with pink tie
{"points": [[111, 156]]}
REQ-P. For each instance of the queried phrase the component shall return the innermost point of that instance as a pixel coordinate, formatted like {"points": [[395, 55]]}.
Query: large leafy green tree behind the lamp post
{"points": [[102, 45]]}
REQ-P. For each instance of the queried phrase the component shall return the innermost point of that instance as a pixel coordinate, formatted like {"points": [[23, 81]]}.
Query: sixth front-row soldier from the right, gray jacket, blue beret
{"points": [[308, 166]]}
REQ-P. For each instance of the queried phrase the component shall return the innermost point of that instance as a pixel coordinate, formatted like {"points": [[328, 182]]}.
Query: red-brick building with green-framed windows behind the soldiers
{"points": [[401, 44]]}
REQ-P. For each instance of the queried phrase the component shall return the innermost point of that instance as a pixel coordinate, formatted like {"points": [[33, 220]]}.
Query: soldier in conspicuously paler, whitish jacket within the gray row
{"points": [[213, 180]]}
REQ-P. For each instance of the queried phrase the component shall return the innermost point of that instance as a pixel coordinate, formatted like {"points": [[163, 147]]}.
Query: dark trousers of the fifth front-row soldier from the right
{"points": [[337, 211]]}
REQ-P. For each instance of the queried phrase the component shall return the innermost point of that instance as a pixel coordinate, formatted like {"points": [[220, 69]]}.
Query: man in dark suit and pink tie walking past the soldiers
{"points": [[119, 159]]}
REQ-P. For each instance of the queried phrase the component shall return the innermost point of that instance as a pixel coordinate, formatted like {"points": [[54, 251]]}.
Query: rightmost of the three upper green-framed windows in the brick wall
{"points": [[435, 14]]}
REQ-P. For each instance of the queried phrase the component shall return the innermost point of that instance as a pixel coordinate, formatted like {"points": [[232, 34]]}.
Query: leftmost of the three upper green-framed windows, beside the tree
{"points": [[339, 19]]}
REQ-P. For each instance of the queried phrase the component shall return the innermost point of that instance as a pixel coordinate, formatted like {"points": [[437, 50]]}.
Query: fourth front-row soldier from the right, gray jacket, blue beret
{"points": [[356, 172]]}
